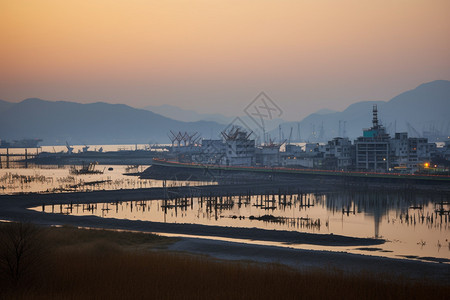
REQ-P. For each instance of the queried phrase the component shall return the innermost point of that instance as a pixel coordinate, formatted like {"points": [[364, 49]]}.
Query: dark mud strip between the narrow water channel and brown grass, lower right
{"points": [[301, 259]]}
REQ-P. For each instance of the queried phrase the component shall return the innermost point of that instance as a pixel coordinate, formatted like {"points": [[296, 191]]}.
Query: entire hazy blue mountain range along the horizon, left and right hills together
{"points": [[425, 108]]}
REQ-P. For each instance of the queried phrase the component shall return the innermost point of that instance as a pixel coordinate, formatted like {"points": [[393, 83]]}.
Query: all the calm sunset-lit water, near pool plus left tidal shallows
{"points": [[411, 223]]}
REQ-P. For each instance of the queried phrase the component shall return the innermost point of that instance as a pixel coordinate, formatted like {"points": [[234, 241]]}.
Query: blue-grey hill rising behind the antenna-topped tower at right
{"points": [[425, 108]]}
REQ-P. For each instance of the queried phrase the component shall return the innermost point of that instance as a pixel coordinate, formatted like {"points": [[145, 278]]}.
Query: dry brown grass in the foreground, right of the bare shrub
{"points": [[109, 265]]}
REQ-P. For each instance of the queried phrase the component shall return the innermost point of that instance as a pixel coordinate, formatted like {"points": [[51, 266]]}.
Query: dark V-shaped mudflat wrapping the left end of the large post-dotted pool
{"points": [[16, 208]]}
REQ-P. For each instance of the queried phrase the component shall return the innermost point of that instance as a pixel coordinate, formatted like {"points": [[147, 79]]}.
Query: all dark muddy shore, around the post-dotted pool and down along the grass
{"points": [[15, 208]]}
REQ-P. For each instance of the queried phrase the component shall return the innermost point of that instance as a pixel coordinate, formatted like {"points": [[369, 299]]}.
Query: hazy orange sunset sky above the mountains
{"points": [[217, 55]]}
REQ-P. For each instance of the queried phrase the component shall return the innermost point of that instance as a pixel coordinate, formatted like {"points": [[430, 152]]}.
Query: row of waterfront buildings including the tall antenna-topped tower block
{"points": [[374, 151]]}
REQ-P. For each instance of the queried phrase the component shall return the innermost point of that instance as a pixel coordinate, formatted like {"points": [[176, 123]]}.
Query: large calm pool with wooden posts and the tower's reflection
{"points": [[411, 223]]}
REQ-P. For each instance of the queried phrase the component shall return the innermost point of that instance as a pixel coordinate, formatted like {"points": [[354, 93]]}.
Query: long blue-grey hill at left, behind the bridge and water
{"points": [[100, 123]]}
